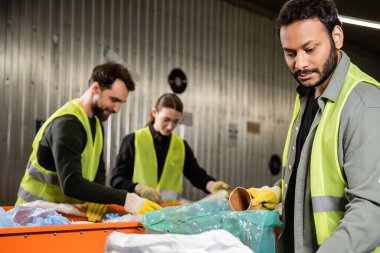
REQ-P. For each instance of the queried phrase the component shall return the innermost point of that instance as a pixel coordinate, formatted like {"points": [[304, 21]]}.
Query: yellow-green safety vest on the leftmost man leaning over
{"points": [[39, 183]]}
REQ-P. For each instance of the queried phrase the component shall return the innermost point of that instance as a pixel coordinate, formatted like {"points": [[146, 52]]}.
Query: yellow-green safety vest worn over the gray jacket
{"points": [[326, 180]]}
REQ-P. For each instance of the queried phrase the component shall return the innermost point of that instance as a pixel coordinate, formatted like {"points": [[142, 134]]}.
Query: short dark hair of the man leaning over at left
{"points": [[106, 74]]}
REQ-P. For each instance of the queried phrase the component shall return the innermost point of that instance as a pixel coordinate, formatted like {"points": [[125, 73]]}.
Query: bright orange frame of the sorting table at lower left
{"points": [[71, 238]]}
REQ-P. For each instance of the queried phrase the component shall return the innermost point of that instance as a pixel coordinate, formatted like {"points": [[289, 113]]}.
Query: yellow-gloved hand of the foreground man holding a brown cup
{"points": [[267, 196]]}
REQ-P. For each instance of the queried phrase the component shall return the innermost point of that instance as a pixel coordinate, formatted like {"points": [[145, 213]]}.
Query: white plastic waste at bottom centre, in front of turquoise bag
{"points": [[218, 241]]}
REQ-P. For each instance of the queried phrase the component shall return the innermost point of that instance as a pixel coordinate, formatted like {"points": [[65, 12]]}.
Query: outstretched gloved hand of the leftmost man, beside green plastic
{"points": [[136, 205]]}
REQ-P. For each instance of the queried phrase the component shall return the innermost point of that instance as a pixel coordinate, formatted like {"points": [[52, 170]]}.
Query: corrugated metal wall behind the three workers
{"points": [[231, 56]]}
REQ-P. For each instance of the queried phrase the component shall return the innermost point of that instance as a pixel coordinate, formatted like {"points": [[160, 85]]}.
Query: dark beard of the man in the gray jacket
{"points": [[328, 68]]}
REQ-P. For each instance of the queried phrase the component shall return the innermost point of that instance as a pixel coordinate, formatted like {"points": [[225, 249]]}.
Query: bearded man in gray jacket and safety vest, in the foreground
{"points": [[331, 163]]}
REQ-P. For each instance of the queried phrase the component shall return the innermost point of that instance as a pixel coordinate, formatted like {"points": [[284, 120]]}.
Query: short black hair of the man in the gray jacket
{"points": [[296, 10]]}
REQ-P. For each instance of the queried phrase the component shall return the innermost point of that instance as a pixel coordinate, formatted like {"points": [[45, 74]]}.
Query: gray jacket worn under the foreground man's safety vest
{"points": [[359, 159]]}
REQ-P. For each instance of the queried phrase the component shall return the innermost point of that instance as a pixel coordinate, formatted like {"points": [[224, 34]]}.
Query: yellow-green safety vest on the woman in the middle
{"points": [[145, 166]]}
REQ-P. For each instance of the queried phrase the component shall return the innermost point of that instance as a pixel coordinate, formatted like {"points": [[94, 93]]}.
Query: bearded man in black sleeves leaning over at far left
{"points": [[66, 164]]}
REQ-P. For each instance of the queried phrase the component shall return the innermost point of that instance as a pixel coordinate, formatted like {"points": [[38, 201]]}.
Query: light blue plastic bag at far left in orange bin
{"points": [[27, 216]]}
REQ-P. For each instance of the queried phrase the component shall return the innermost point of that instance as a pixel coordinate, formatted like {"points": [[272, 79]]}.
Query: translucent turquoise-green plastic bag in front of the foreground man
{"points": [[254, 228]]}
